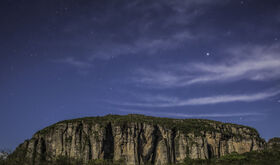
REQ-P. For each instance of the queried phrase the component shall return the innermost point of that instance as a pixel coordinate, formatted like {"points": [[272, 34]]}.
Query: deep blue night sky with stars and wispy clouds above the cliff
{"points": [[210, 59]]}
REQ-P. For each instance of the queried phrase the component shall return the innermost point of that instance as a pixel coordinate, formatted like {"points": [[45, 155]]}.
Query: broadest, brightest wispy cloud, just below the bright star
{"points": [[257, 63]]}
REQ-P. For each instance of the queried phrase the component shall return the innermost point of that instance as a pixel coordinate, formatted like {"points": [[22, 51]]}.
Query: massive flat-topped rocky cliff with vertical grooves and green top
{"points": [[138, 139]]}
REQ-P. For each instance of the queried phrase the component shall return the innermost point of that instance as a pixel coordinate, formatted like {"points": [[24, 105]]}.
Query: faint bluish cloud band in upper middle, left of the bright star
{"points": [[144, 45]]}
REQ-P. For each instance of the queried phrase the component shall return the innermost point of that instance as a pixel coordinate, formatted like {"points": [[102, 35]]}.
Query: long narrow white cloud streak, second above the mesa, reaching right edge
{"points": [[162, 101]]}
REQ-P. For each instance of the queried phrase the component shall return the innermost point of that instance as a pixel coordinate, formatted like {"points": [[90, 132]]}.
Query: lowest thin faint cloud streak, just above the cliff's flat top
{"points": [[186, 115]]}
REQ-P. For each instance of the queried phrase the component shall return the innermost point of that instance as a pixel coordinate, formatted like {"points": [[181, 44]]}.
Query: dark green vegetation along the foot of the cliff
{"points": [[269, 156]]}
